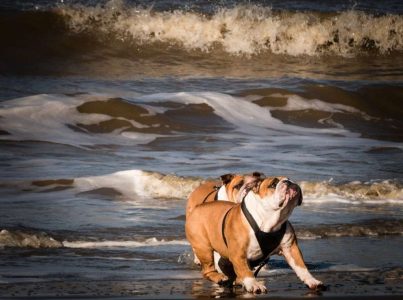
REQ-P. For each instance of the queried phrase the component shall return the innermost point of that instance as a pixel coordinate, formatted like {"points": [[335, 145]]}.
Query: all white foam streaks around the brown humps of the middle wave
{"points": [[46, 118]]}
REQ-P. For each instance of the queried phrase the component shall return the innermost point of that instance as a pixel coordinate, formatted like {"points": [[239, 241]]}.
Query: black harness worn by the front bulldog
{"points": [[268, 241]]}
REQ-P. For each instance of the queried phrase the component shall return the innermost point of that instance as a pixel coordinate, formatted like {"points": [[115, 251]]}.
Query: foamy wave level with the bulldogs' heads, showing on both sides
{"points": [[132, 183]]}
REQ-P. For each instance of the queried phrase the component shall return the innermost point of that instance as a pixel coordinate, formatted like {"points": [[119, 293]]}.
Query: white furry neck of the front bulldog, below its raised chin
{"points": [[268, 219]]}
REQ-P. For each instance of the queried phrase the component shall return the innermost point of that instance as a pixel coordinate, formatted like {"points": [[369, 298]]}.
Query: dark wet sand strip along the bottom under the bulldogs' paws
{"points": [[339, 285]]}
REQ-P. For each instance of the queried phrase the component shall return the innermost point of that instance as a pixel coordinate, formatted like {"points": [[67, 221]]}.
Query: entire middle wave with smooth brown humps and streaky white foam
{"points": [[86, 120]]}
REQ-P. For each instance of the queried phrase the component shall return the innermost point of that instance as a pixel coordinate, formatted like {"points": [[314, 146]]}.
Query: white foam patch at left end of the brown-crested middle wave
{"points": [[45, 118]]}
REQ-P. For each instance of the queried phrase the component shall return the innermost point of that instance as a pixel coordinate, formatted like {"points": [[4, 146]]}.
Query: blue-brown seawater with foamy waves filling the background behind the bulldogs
{"points": [[112, 112]]}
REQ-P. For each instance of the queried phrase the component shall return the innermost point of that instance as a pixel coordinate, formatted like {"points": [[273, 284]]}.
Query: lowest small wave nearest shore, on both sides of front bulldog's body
{"points": [[41, 240]]}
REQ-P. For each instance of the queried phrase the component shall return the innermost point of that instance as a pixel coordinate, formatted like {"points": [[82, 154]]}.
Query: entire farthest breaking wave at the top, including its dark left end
{"points": [[242, 30]]}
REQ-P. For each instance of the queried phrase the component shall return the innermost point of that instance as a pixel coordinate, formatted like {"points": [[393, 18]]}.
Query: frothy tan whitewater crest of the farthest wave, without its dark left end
{"points": [[243, 29]]}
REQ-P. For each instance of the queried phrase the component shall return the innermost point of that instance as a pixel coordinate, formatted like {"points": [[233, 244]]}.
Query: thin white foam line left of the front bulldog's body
{"points": [[151, 242]]}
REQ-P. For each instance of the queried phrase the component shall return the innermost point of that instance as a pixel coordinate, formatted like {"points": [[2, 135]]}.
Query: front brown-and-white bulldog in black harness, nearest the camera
{"points": [[223, 227]]}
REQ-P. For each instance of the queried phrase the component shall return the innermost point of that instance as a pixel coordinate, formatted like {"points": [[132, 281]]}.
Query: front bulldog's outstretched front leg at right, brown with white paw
{"points": [[294, 258]]}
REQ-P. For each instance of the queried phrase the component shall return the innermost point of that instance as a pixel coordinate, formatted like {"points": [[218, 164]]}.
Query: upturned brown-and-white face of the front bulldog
{"points": [[279, 193]]}
